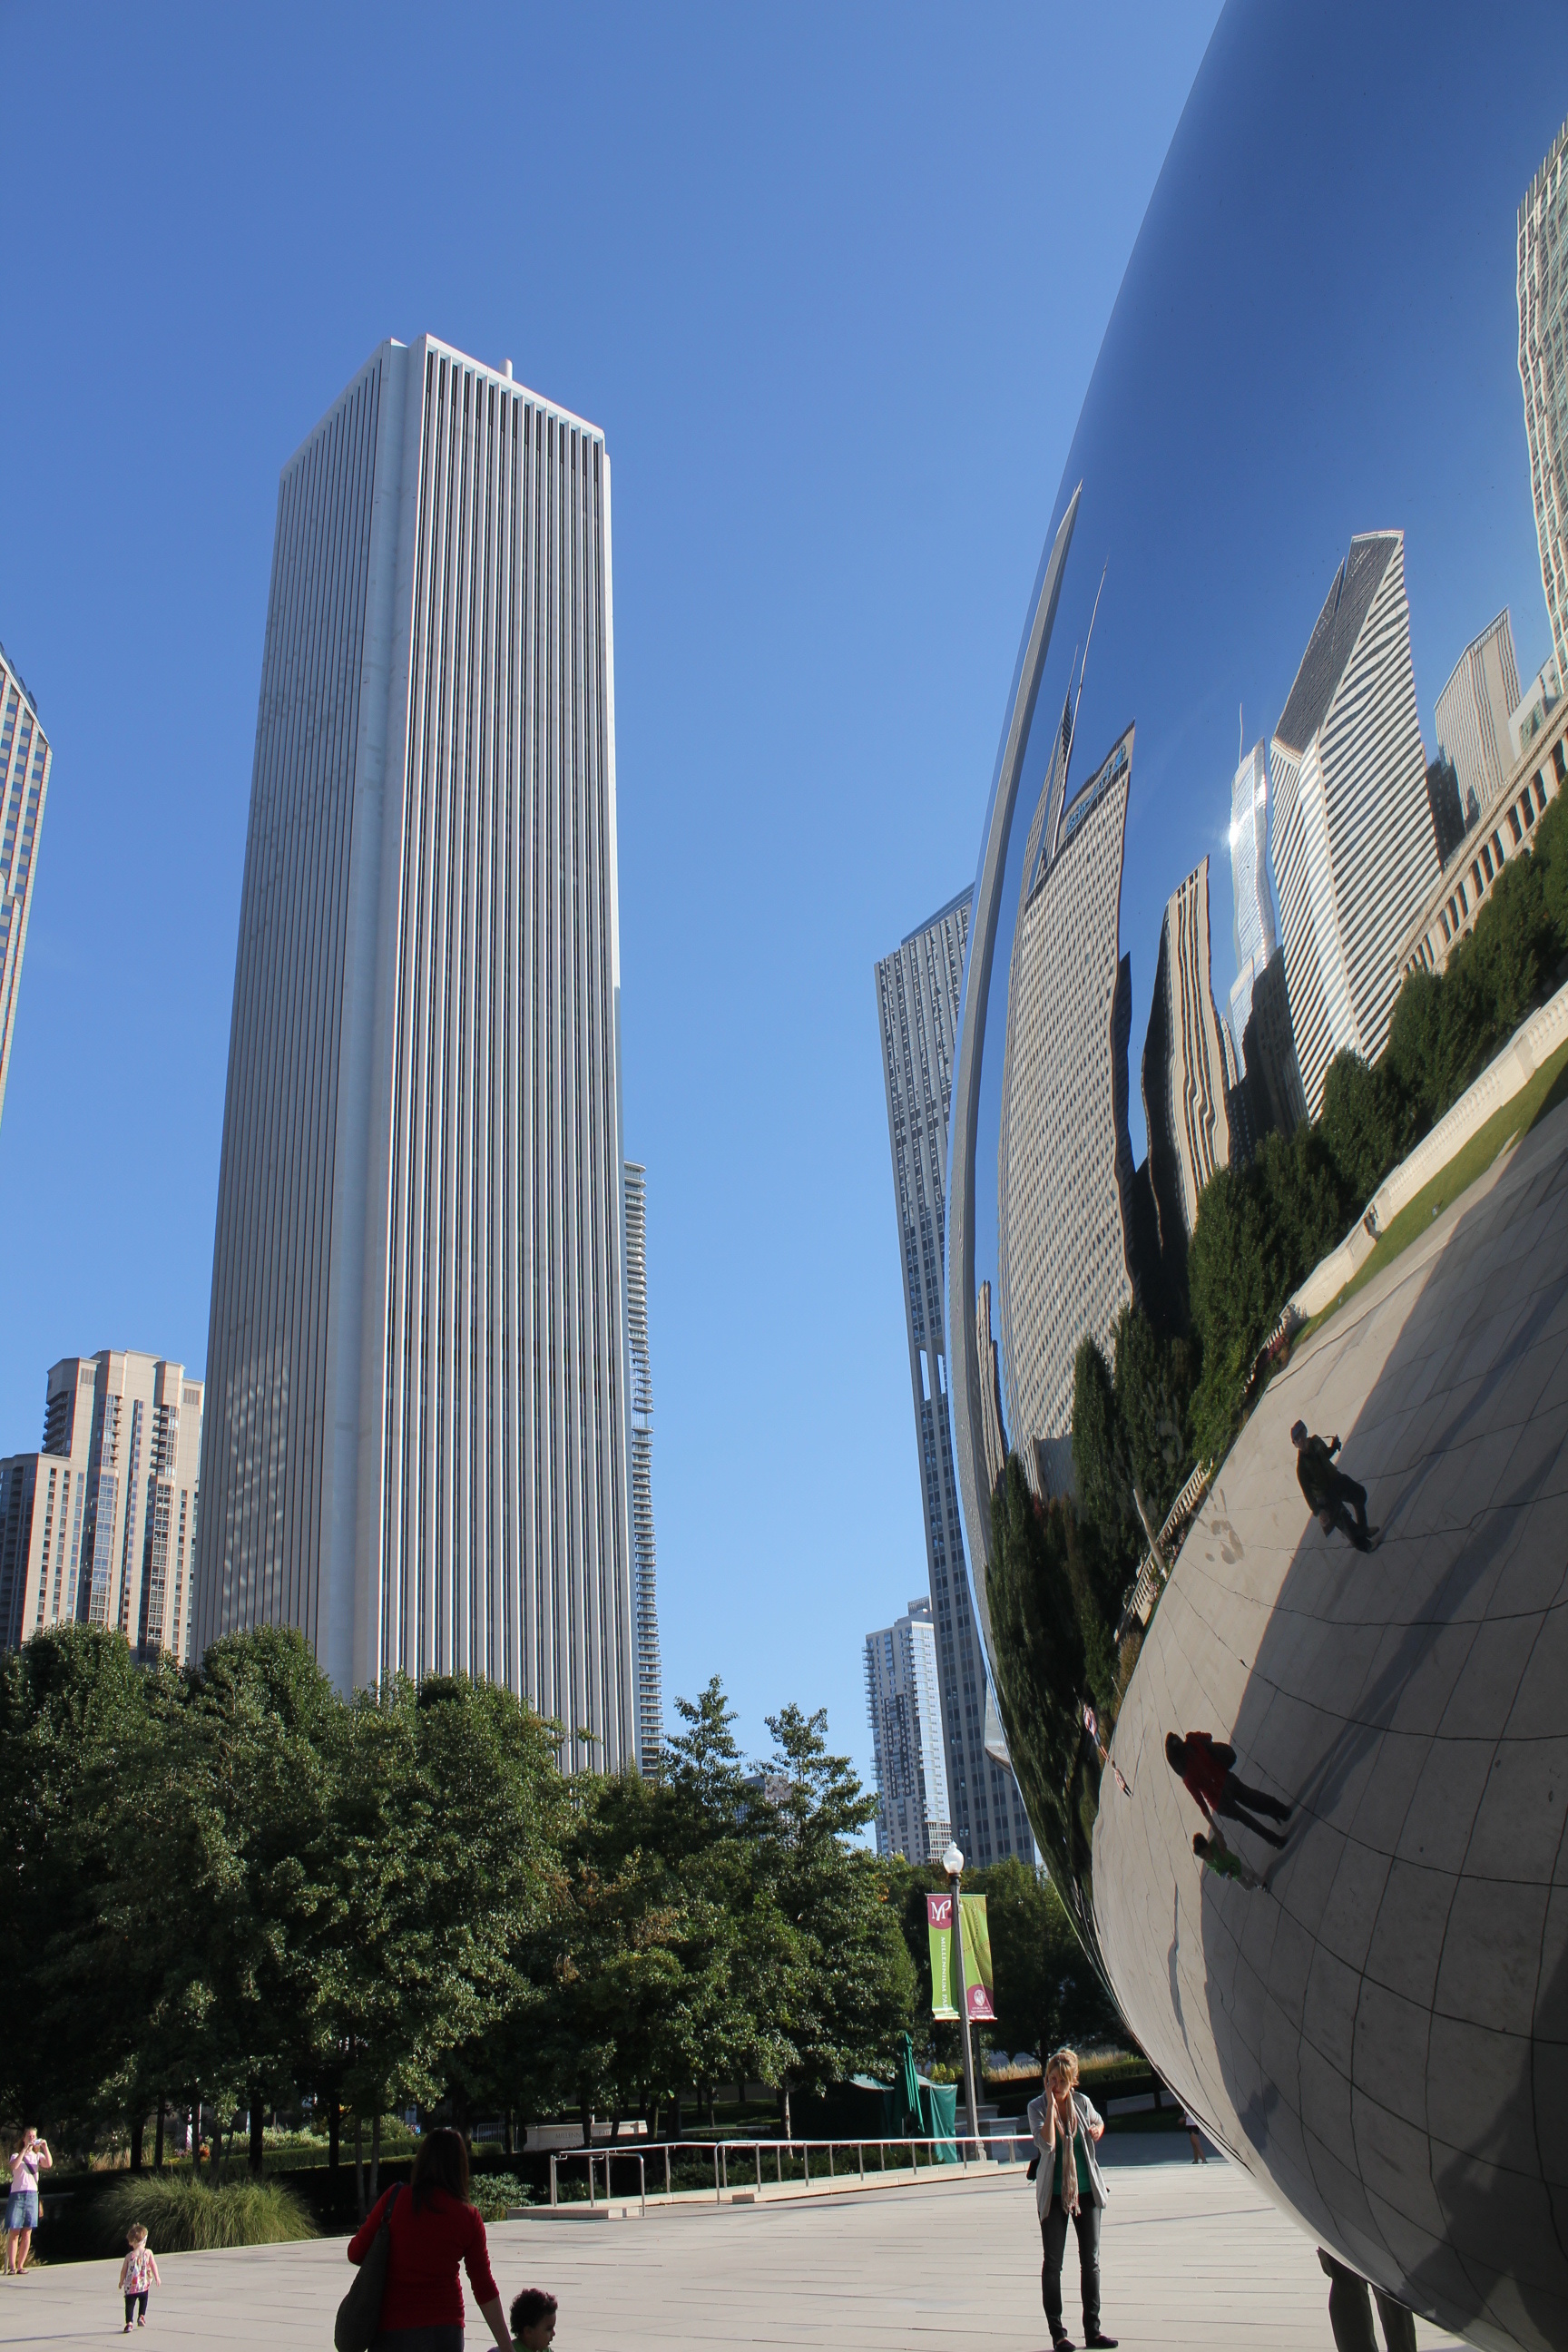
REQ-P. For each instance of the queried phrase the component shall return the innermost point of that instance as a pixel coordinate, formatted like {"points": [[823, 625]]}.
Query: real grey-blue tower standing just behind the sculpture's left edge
{"points": [[920, 994]]}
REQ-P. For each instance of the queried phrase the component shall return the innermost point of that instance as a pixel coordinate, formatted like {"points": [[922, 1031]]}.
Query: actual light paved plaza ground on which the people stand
{"points": [[1195, 2261]]}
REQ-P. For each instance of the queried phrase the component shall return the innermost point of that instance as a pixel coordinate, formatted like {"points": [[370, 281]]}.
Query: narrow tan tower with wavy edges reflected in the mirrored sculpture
{"points": [[1188, 1069]]}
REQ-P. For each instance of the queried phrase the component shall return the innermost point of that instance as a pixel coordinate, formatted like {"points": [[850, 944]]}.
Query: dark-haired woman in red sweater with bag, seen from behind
{"points": [[434, 2231]]}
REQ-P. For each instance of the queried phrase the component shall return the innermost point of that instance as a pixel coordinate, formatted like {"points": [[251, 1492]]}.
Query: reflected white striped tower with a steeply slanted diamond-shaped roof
{"points": [[1353, 827]]}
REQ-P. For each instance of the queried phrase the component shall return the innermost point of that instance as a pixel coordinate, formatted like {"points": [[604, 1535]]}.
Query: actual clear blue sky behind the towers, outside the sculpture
{"points": [[833, 283]]}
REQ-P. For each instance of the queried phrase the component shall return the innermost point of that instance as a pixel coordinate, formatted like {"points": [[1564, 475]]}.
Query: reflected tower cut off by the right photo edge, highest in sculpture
{"points": [[1543, 328]]}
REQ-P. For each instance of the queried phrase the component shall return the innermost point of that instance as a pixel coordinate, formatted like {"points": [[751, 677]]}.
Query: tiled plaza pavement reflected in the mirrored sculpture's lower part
{"points": [[1383, 2031]]}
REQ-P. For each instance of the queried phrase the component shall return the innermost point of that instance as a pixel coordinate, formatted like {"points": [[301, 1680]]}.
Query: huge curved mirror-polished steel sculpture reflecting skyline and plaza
{"points": [[1271, 744]]}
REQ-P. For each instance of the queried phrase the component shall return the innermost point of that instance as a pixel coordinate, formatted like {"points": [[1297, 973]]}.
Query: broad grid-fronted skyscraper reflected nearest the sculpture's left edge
{"points": [[1066, 1163]]}
